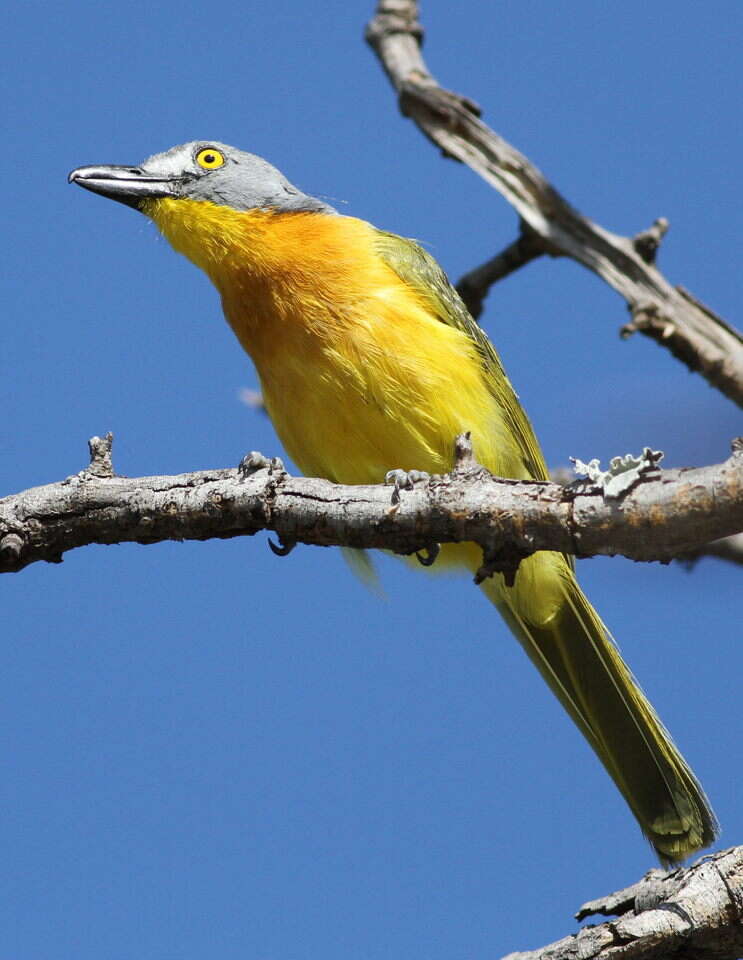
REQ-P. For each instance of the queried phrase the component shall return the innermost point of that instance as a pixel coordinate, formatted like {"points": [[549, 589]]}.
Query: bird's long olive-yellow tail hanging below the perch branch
{"points": [[566, 640]]}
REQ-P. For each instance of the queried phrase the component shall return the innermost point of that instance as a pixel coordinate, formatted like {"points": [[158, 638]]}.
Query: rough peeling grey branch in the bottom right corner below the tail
{"points": [[690, 914]]}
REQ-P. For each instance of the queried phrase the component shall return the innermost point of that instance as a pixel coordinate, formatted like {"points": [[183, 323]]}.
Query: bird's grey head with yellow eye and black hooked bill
{"points": [[204, 170]]}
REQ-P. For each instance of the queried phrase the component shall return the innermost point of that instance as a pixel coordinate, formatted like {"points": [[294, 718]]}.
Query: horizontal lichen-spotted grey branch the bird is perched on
{"points": [[635, 510]]}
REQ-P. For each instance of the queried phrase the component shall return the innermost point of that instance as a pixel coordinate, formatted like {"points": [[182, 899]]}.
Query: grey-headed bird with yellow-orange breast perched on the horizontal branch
{"points": [[368, 360]]}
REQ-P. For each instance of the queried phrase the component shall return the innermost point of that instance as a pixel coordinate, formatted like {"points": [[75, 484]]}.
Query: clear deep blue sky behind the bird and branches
{"points": [[211, 752]]}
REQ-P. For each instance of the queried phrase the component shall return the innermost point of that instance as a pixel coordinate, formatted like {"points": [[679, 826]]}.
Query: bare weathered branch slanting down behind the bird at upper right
{"points": [[667, 314]]}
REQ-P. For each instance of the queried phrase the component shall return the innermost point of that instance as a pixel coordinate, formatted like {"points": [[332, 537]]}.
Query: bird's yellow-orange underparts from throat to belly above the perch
{"points": [[357, 375]]}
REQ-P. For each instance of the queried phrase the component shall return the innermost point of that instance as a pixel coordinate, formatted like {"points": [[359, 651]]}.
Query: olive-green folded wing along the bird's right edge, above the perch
{"points": [[420, 271]]}
